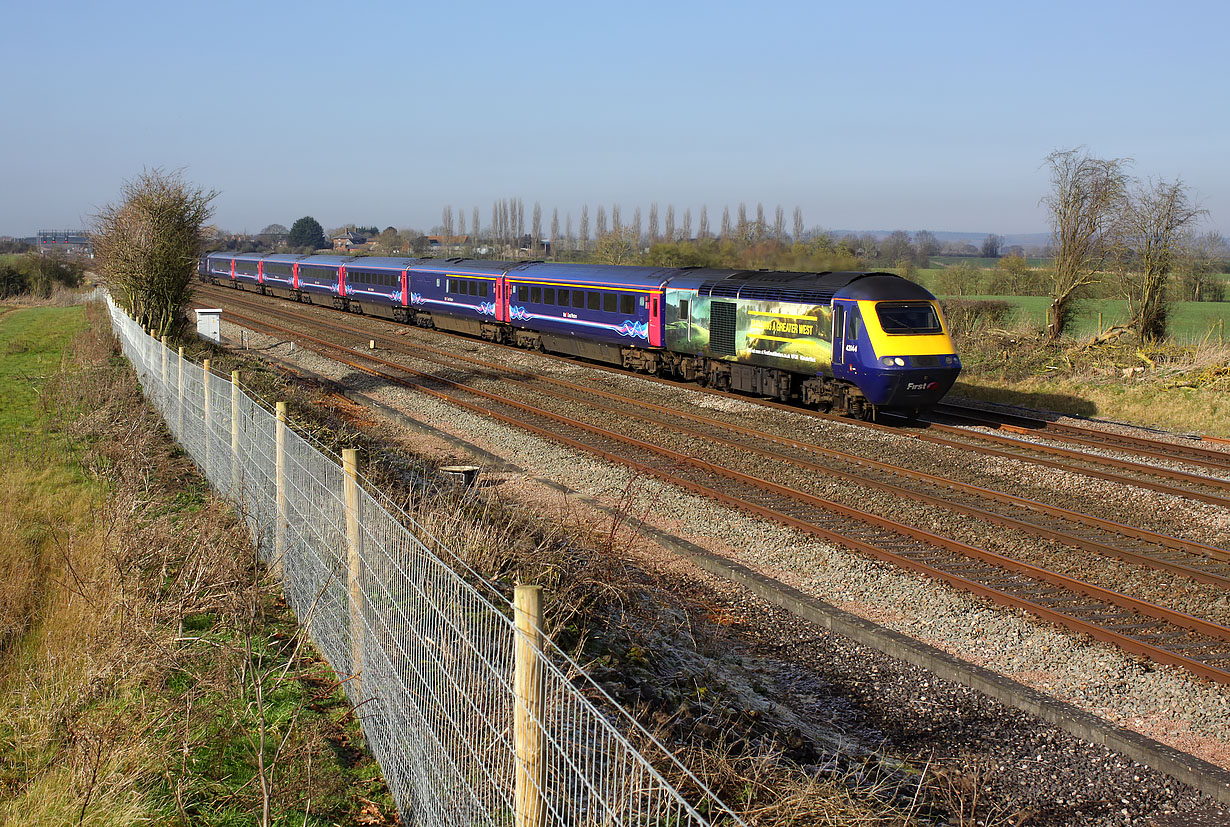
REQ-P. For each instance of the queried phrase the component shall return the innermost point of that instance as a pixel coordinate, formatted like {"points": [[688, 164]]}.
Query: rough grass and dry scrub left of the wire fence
{"points": [[149, 671]]}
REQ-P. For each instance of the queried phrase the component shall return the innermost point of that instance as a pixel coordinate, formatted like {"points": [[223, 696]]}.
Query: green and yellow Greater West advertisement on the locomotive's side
{"points": [[784, 335]]}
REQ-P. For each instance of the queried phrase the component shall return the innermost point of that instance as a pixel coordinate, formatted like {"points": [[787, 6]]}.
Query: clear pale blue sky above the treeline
{"points": [[867, 115]]}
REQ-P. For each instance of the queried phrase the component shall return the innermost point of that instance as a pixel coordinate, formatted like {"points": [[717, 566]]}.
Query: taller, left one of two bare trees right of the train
{"points": [[1085, 202]]}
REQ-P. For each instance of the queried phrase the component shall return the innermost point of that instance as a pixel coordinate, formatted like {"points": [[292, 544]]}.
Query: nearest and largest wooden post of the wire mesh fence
{"points": [[528, 713]]}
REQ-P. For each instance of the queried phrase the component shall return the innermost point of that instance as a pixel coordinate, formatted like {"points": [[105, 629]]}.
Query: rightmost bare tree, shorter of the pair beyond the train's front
{"points": [[1156, 217]]}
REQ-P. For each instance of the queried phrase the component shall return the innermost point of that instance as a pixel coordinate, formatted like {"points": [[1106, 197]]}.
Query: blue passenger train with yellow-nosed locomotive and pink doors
{"points": [[854, 343]]}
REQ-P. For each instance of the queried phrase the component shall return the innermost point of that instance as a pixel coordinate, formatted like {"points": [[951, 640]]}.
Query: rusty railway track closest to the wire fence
{"points": [[1108, 605]]}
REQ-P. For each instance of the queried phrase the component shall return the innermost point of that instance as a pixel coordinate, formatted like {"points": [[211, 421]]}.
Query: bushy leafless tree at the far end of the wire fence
{"points": [[147, 247]]}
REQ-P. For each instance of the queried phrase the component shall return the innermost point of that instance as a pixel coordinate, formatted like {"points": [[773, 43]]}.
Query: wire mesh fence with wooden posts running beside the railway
{"points": [[474, 718]]}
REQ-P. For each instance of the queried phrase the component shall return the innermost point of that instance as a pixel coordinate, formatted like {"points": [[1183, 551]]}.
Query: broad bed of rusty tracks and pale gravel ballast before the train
{"points": [[1098, 537]]}
